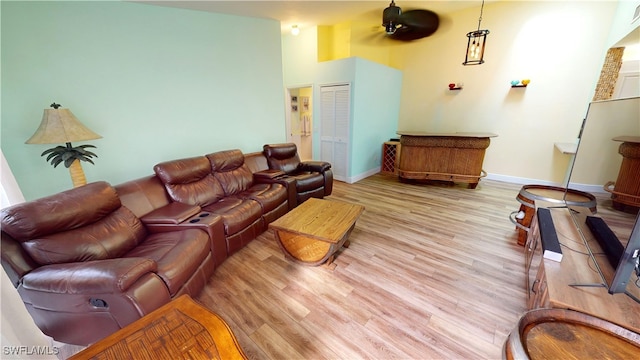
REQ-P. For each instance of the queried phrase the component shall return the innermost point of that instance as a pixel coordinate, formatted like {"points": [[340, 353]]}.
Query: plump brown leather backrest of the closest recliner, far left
{"points": [[81, 224]]}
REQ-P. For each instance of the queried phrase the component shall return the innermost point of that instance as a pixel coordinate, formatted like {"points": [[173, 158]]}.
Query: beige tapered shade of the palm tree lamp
{"points": [[60, 126]]}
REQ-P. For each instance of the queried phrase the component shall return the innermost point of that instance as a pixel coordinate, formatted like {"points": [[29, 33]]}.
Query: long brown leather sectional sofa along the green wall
{"points": [[93, 259]]}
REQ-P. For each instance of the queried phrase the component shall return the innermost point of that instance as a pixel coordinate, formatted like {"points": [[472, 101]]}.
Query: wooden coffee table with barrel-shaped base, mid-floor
{"points": [[314, 231]]}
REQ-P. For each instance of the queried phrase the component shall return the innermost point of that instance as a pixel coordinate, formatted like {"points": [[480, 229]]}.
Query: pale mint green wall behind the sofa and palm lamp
{"points": [[157, 83]]}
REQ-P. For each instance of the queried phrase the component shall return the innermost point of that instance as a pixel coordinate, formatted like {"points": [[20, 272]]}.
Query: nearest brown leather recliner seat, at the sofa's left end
{"points": [[86, 266]]}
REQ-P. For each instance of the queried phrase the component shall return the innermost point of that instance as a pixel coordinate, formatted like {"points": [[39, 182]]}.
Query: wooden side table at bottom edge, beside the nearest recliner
{"points": [[180, 329]]}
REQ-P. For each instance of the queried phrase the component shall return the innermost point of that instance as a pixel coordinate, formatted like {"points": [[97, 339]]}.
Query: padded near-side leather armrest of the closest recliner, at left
{"points": [[99, 276]]}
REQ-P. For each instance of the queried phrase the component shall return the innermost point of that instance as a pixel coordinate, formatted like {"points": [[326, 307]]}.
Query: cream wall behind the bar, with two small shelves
{"points": [[559, 46]]}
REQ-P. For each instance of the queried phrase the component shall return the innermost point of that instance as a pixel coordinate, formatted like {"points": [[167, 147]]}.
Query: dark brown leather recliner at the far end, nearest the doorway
{"points": [[313, 178]]}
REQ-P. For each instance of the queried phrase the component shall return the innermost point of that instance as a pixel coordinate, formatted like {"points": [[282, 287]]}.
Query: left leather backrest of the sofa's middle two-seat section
{"points": [[190, 181]]}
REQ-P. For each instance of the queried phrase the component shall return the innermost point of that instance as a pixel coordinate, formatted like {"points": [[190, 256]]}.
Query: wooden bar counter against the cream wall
{"points": [[455, 157]]}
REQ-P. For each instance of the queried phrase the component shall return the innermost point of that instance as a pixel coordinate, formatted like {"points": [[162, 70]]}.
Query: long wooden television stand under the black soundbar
{"points": [[554, 284]]}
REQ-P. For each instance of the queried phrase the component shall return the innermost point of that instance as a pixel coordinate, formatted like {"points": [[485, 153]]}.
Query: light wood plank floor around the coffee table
{"points": [[433, 271]]}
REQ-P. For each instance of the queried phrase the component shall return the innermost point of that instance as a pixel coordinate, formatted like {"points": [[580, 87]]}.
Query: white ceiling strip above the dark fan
{"points": [[309, 13]]}
